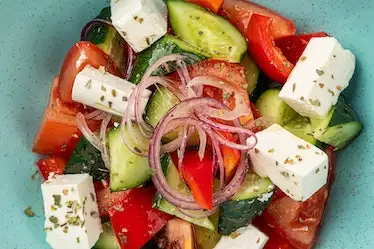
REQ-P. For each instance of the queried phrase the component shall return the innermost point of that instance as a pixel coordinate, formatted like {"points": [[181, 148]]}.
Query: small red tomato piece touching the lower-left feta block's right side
{"points": [[107, 199]]}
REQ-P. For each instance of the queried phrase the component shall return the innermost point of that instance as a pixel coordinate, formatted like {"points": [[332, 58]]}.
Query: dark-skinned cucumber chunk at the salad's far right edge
{"points": [[340, 127]]}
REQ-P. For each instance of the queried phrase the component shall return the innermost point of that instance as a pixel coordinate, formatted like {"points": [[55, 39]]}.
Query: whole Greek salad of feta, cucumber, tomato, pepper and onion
{"points": [[198, 124]]}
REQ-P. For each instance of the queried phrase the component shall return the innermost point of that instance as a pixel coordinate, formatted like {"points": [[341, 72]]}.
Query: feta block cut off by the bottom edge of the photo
{"points": [[244, 238]]}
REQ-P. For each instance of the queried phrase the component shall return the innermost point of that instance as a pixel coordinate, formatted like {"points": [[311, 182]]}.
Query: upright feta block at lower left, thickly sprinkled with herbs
{"points": [[71, 210]]}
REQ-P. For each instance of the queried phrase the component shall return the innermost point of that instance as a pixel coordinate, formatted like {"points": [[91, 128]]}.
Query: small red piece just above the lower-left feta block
{"points": [[50, 165]]}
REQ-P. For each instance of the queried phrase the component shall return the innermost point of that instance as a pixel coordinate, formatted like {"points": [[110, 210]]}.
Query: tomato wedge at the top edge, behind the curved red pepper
{"points": [[239, 13]]}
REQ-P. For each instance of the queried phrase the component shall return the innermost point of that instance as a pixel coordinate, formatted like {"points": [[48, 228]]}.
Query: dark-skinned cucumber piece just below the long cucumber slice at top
{"points": [[165, 46]]}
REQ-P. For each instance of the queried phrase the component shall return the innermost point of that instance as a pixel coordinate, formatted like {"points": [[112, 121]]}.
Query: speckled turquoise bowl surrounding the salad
{"points": [[35, 36]]}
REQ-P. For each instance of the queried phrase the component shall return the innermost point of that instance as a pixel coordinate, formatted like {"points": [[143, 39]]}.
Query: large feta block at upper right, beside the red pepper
{"points": [[321, 74]]}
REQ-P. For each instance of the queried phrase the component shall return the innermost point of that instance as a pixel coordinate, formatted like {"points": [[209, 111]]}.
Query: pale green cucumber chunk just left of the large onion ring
{"points": [[127, 170]]}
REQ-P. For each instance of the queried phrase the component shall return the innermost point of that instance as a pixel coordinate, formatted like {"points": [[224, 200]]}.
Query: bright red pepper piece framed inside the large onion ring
{"points": [[198, 176]]}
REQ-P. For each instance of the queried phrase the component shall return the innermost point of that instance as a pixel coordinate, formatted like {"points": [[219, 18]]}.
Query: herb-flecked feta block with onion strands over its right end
{"points": [[104, 91]]}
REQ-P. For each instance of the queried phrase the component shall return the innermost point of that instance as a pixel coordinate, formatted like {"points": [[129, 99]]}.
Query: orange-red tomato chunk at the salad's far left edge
{"points": [[57, 135]]}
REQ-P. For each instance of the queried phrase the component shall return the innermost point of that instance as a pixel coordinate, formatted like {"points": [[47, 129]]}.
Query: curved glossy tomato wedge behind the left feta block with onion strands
{"points": [[80, 55]]}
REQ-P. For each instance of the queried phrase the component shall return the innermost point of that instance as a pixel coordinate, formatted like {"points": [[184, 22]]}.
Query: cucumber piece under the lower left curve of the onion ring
{"points": [[175, 182]]}
